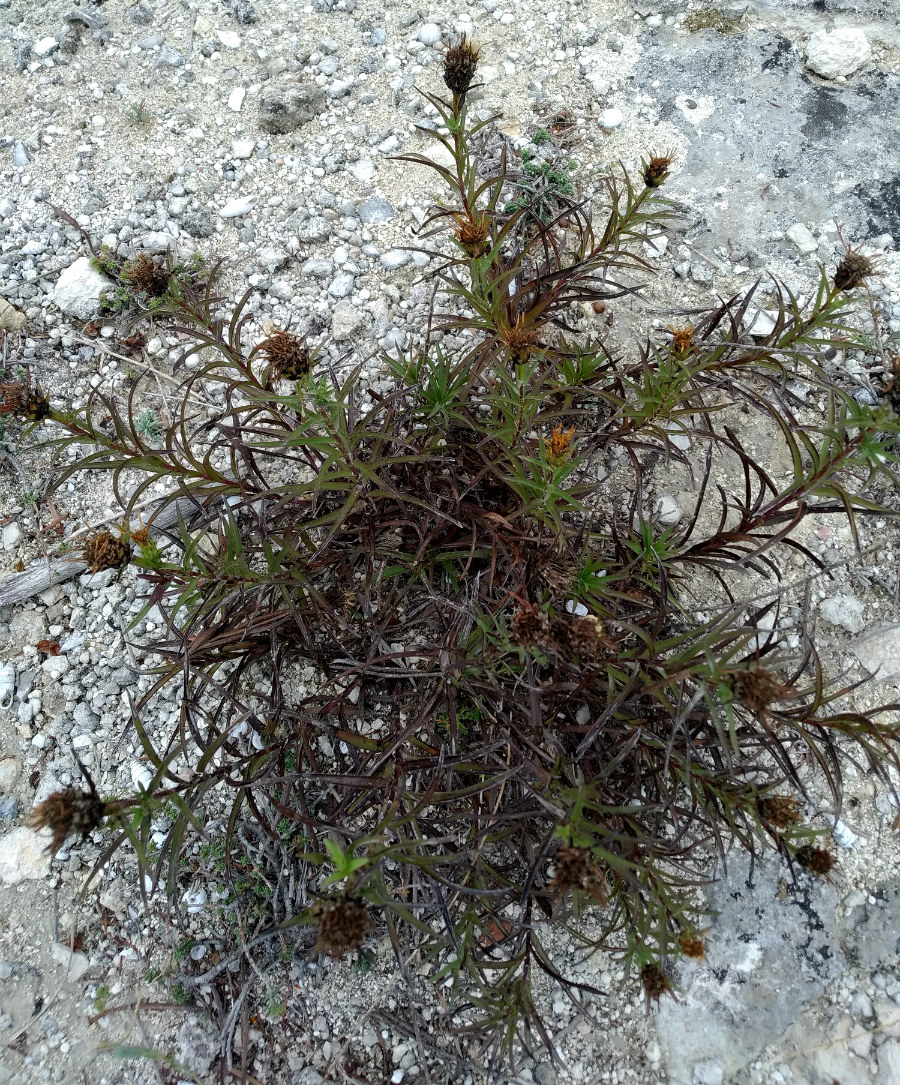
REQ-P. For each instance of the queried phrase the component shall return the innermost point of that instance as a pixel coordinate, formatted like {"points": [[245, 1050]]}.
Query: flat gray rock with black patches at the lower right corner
{"points": [[776, 946]]}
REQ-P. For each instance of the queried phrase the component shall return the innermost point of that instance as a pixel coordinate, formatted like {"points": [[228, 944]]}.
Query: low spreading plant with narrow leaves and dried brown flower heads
{"points": [[440, 661]]}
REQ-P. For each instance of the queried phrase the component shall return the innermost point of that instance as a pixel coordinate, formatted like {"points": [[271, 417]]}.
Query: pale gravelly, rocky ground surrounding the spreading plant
{"points": [[264, 133]]}
